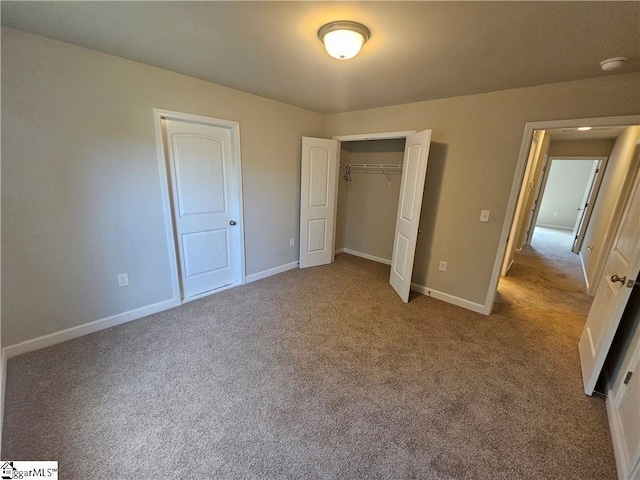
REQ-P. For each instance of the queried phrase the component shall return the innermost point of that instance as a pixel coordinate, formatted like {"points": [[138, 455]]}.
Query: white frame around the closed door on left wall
{"points": [[165, 180]]}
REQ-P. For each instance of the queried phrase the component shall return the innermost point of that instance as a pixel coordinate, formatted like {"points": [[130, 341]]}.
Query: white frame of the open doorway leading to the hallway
{"points": [[516, 185]]}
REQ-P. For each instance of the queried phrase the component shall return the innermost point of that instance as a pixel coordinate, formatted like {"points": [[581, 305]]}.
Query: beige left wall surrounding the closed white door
{"points": [[81, 193]]}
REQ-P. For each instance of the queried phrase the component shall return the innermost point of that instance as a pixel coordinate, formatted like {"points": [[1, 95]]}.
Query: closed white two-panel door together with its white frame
{"points": [[200, 163]]}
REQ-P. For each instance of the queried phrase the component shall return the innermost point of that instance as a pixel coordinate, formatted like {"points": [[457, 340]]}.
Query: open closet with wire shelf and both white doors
{"points": [[367, 214]]}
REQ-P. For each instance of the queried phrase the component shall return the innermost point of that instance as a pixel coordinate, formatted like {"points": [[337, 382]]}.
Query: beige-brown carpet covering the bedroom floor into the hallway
{"points": [[317, 373]]}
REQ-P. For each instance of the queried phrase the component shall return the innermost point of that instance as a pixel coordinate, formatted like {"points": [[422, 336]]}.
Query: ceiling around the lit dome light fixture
{"points": [[417, 51]]}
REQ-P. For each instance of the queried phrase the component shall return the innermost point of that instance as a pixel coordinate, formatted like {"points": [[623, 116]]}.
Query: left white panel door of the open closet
{"points": [[318, 201]]}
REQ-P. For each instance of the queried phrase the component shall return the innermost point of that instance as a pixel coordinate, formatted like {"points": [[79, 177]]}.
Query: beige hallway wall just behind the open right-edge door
{"points": [[622, 165]]}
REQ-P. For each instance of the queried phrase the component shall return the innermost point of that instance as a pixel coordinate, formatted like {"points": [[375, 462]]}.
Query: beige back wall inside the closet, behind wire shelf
{"points": [[367, 205]]}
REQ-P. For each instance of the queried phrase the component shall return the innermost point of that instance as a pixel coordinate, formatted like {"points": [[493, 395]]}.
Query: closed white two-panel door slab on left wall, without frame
{"points": [[205, 206]]}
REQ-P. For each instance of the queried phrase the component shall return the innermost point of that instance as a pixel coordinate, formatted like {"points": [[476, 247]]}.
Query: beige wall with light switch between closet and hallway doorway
{"points": [[476, 142]]}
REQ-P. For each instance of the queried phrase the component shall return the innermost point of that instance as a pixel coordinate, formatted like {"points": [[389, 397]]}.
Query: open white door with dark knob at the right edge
{"points": [[620, 272]]}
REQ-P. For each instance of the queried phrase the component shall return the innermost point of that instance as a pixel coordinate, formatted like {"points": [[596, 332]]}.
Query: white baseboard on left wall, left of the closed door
{"points": [[87, 328]]}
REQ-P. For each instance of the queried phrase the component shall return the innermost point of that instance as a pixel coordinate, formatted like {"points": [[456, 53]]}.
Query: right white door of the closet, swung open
{"points": [[414, 170]]}
